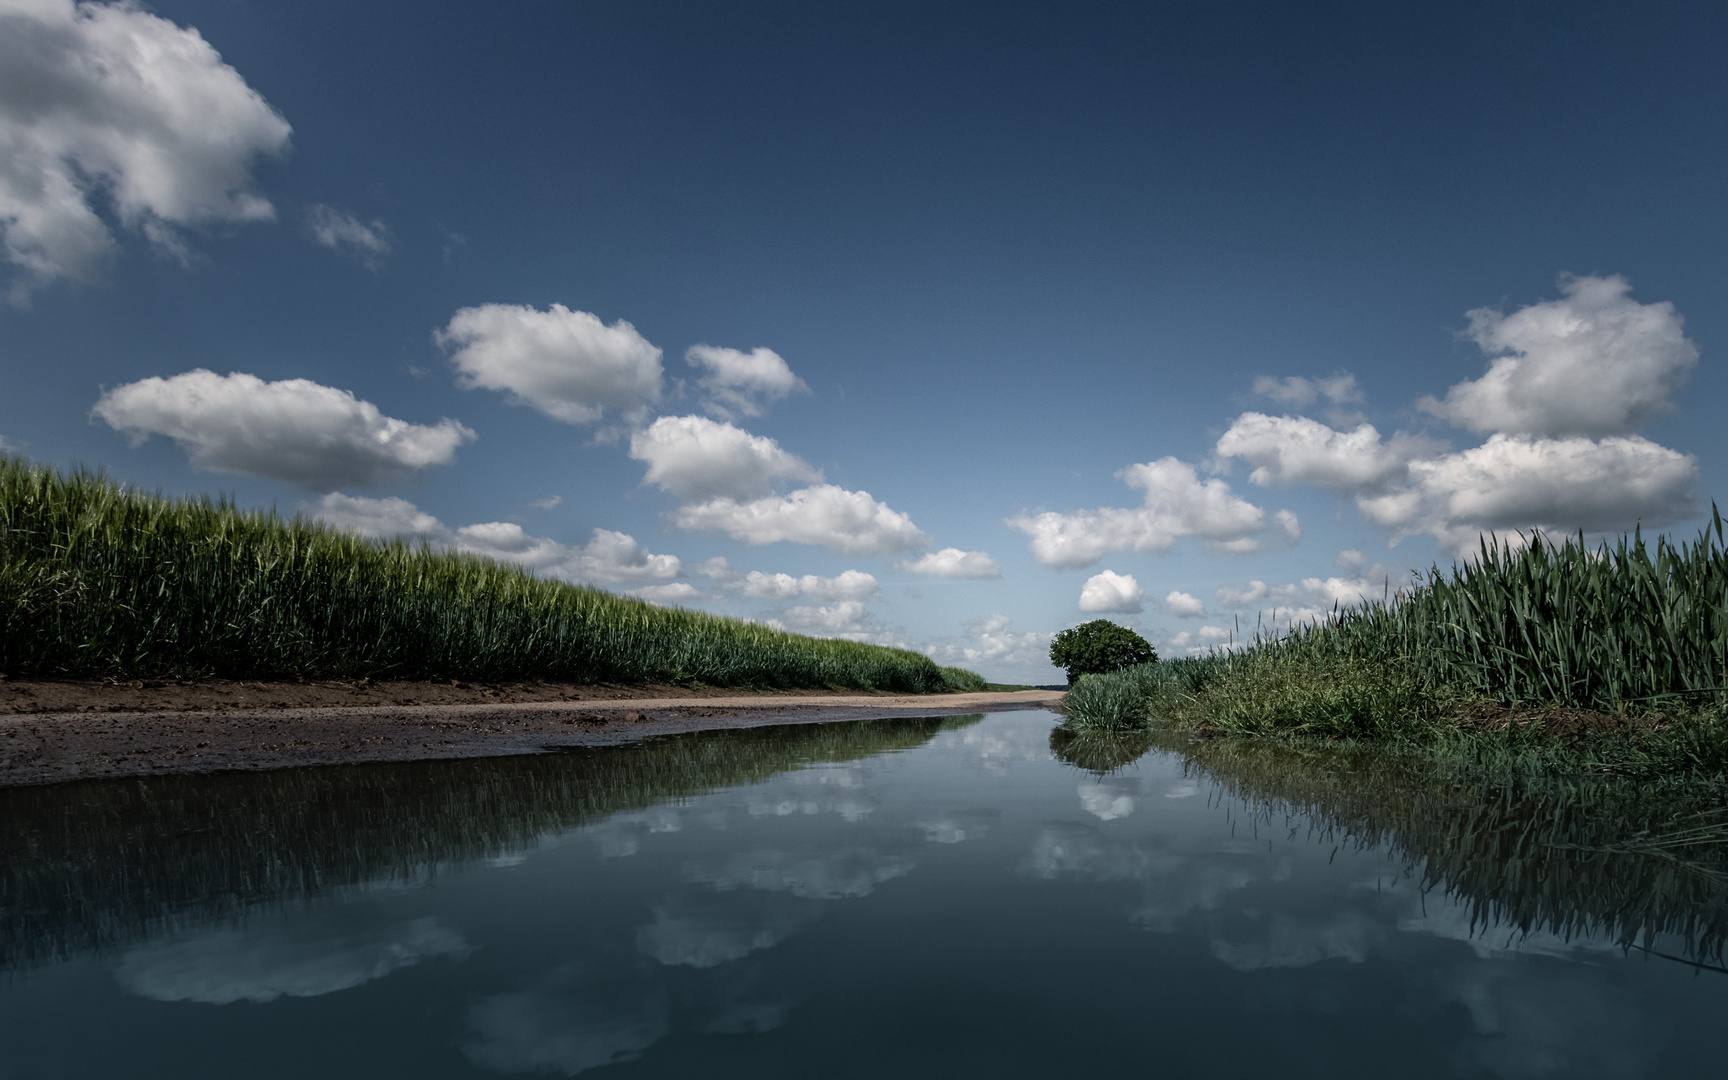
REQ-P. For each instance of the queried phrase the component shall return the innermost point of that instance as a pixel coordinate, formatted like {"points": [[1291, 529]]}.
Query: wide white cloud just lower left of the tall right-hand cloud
{"points": [[1297, 450]]}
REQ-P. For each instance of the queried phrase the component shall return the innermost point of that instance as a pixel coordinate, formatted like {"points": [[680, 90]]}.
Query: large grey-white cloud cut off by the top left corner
{"points": [[106, 105]]}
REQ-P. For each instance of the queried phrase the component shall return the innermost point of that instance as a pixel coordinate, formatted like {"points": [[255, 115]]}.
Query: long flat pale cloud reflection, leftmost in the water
{"points": [[258, 967]]}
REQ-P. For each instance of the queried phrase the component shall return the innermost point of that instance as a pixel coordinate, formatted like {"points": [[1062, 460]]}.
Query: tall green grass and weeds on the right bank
{"points": [[1623, 628]]}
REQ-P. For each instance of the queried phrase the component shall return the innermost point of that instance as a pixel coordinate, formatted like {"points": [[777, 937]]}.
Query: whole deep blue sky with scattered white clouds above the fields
{"points": [[937, 326]]}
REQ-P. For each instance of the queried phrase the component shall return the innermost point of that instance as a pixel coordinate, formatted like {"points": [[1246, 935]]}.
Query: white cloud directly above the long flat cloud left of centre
{"points": [[697, 459]]}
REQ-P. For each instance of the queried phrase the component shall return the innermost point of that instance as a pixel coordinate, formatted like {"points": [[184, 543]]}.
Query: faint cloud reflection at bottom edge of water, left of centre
{"points": [[571, 1022]]}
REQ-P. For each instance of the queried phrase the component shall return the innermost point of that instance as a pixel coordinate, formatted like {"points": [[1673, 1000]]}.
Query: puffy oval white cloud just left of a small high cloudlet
{"points": [[564, 364]]}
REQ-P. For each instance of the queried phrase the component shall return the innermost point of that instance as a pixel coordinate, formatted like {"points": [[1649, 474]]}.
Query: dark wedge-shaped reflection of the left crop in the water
{"points": [[94, 865]]}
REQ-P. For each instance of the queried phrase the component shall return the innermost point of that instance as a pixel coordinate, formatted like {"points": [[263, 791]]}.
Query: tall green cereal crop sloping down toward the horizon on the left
{"points": [[99, 580]]}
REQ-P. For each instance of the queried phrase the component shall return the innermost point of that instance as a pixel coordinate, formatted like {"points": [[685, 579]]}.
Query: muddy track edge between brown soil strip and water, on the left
{"points": [[60, 747]]}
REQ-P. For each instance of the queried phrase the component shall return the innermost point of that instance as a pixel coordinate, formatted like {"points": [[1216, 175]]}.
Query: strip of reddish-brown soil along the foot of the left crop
{"points": [[220, 696]]}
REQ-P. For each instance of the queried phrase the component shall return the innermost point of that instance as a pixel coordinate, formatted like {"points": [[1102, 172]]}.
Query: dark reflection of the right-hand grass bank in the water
{"points": [[1568, 856]]}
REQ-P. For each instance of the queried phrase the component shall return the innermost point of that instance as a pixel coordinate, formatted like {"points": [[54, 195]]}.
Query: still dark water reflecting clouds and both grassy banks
{"points": [[958, 898]]}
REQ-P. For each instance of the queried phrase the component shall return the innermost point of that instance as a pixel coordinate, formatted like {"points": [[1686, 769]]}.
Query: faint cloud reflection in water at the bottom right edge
{"points": [[1541, 1020]]}
